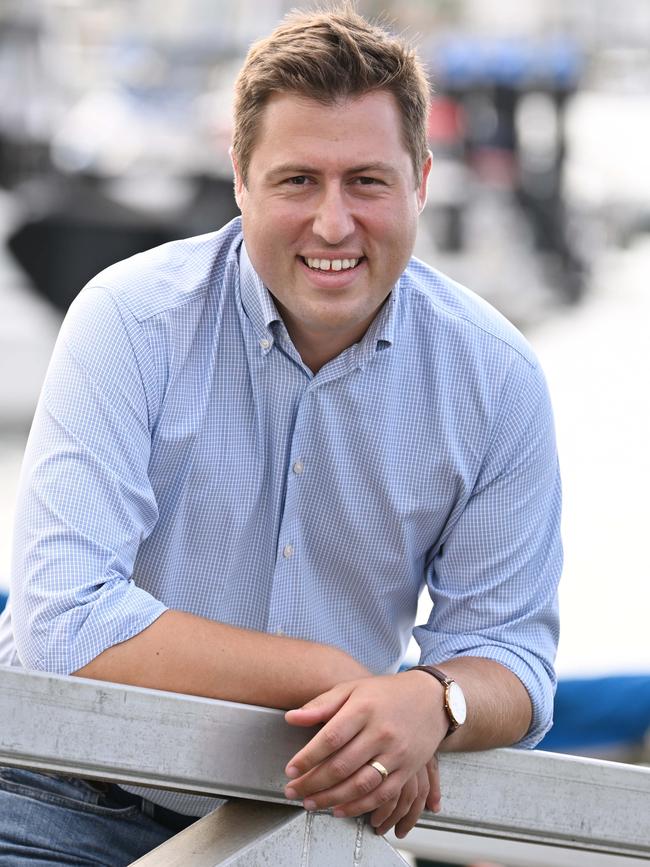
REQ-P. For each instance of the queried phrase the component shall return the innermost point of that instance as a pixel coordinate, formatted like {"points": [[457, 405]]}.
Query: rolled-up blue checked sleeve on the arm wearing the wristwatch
{"points": [[493, 581]]}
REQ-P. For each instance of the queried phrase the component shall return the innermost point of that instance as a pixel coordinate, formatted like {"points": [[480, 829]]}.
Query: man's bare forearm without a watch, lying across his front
{"points": [[184, 653]]}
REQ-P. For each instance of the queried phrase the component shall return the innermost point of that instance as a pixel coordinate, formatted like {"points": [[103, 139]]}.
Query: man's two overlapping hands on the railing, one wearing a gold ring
{"points": [[397, 720]]}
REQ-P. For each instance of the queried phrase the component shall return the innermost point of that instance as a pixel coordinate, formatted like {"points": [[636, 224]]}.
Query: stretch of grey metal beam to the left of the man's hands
{"points": [[143, 736]]}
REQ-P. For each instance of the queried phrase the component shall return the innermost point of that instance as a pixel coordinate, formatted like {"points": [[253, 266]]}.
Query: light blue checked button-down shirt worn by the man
{"points": [[182, 456]]}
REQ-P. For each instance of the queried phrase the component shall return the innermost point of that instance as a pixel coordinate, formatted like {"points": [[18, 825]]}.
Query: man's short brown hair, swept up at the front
{"points": [[329, 56]]}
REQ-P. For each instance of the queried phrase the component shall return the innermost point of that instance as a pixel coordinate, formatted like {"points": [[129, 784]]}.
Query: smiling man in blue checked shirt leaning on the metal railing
{"points": [[254, 448]]}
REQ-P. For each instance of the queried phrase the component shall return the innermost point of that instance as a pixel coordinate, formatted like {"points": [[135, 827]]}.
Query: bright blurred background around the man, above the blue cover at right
{"points": [[114, 131]]}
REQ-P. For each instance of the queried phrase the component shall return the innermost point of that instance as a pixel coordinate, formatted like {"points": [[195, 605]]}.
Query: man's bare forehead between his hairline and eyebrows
{"points": [[363, 129]]}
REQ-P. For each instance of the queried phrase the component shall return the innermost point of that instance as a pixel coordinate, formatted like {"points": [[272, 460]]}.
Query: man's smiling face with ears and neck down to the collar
{"points": [[329, 214]]}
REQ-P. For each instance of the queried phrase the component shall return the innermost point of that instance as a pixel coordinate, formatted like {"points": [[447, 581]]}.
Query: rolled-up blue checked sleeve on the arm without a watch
{"points": [[85, 502]]}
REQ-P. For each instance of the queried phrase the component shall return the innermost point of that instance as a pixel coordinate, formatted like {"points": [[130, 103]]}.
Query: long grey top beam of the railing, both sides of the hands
{"points": [[152, 738]]}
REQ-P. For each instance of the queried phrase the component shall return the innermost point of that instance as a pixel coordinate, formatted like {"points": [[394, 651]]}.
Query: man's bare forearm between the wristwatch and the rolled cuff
{"points": [[499, 710]]}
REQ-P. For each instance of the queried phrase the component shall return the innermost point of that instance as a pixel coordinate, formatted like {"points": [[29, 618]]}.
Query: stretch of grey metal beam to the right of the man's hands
{"points": [[546, 798]]}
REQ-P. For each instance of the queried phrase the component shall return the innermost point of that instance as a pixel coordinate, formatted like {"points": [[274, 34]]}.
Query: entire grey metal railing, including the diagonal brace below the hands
{"points": [[566, 810]]}
